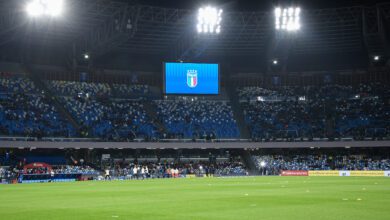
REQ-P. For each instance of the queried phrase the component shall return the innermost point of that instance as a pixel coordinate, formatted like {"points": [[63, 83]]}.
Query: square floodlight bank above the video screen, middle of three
{"points": [[209, 20]]}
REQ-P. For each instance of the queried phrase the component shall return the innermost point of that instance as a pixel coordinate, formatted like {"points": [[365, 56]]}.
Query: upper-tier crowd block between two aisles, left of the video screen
{"points": [[100, 114]]}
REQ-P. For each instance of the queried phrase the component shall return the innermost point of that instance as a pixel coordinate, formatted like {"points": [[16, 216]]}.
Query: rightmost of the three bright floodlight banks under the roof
{"points": [[287, 19]]}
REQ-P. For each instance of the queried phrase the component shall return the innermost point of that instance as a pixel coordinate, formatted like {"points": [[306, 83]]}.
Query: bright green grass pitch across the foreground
{"points": [[257, 198]]}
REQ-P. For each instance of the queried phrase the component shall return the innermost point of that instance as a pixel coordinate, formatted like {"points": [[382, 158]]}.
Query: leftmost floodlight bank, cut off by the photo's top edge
{"points": [[38, 8]]}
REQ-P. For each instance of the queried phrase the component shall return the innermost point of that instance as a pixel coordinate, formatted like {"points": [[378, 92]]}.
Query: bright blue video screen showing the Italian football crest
{"points": [[191, 79]]}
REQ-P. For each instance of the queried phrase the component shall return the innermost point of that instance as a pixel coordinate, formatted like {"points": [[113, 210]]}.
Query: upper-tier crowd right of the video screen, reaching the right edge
{"points": [[331, 111]]}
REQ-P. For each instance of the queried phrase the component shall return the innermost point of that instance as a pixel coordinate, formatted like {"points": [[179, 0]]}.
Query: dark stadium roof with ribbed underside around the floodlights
{"points": [[101, 26]]}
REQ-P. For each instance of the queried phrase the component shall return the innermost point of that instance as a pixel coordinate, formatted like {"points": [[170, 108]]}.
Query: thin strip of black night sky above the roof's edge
{"points": [[252, 5]]}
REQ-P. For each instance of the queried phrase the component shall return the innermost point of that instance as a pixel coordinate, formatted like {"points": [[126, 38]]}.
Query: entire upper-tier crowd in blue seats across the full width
{"points": [[287, 113]]}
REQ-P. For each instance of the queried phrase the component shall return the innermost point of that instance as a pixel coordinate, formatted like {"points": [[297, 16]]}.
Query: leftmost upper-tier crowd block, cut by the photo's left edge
{"points": [[26, 112]]}
